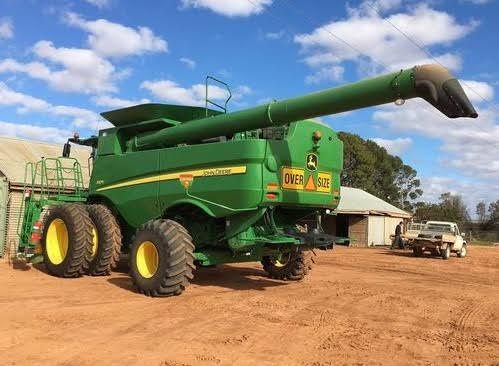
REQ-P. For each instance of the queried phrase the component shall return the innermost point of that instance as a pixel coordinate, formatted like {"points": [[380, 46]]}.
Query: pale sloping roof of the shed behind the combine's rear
{"points": [[359, 202]]}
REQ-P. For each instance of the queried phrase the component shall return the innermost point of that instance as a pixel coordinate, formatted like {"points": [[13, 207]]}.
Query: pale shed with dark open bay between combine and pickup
{"points": [[364, 218]]}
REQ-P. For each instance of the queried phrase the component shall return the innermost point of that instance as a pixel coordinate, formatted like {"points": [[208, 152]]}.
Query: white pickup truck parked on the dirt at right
{"points": [[440, 238]]}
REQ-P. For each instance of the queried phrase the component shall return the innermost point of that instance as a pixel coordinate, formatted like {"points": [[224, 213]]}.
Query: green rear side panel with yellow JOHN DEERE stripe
{"points": [[226, 176]]}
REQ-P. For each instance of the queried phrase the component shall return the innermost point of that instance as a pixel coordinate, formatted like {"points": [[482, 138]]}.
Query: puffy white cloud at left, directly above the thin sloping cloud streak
{"points": [[77, 70]]}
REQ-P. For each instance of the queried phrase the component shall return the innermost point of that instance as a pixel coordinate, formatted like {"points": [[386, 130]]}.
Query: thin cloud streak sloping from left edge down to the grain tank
{"points": [[79, 117]]}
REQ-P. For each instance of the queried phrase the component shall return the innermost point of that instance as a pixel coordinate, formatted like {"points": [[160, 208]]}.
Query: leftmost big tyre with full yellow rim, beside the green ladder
{"points": [[67, 240]]}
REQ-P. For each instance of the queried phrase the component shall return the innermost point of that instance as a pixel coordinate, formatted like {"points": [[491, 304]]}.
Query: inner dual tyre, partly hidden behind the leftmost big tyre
{"points": [[106, 247]]}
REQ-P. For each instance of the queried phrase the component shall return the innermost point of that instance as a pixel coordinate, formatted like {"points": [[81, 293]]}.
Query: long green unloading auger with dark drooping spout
{"points": [[430, 82]]}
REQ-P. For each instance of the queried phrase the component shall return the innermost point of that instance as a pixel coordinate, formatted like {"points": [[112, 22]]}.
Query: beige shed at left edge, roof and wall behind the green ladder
{"points": [[14, 154]]}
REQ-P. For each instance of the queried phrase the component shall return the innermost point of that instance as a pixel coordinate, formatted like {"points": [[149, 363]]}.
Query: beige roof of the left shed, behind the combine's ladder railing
{"points": [[15, 153]]}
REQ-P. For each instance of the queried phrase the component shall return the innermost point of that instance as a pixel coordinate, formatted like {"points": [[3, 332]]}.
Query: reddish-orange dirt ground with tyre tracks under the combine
{"points": [[357, 306]]}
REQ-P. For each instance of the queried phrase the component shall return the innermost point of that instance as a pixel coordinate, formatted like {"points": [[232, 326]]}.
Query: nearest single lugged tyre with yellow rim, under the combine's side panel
{"points": [[161, 258]]}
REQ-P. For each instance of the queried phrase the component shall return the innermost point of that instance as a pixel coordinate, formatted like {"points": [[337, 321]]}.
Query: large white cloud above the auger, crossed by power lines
{"points": [[380, 42]]}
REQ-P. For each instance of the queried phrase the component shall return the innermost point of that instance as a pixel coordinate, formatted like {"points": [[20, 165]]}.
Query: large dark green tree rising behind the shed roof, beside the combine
{"points": [[368, 166]]}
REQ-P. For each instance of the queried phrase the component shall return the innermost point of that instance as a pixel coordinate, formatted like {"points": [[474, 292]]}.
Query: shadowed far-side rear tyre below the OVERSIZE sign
{"points": [[292, 266]]}
